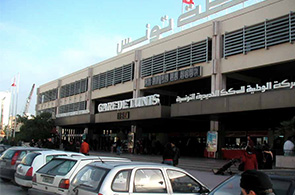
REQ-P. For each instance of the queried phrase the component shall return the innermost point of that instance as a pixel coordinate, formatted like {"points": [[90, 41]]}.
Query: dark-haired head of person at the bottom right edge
{"points": [[255, 182]]}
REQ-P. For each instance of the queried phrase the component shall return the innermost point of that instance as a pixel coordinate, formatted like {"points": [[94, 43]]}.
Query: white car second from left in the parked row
{"points": [[32, 162]]}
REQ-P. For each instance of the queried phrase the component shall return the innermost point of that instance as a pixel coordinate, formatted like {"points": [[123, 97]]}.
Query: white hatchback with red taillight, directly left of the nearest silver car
{"points": [[55, 176]]}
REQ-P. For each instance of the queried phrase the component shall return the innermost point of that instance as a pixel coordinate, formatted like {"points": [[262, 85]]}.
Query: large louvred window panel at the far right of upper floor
{"points": [[262, 35]]}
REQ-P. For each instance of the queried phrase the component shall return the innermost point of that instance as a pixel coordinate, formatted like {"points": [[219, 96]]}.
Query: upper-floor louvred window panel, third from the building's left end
{"points": [[113, 77]]}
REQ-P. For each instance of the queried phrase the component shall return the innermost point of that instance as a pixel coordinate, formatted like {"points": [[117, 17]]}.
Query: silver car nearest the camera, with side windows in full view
{"points": [[134, 178]]}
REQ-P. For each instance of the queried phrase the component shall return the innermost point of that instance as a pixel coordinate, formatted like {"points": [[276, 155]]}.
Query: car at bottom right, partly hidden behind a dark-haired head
{"points": [[283, 183]]}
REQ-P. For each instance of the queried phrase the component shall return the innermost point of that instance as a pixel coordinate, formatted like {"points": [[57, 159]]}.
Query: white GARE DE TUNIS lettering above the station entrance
{"points": [[150, 100]]}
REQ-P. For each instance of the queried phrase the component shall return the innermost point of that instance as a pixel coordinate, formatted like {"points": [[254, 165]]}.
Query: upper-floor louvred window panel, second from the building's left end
{"points": [[74, 88]]}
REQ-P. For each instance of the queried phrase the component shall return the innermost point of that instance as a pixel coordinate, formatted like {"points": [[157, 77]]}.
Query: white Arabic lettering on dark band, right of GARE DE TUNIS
{"points": [[244, 89]]}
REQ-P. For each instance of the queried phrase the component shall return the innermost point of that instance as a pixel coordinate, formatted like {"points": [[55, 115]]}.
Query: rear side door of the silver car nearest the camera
{"points": [[148, 181]]}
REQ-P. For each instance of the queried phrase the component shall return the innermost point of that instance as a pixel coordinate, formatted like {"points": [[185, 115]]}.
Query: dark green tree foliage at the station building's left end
{"points": [[39, 127]]}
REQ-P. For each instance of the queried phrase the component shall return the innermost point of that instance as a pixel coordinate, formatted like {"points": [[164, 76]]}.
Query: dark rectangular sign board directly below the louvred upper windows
{"points": [[173, 76]]}
